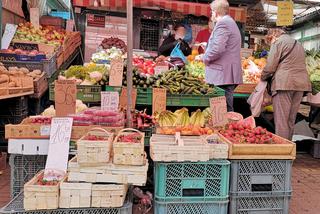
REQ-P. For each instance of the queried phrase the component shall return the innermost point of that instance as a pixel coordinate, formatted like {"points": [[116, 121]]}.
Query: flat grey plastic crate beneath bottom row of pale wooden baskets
{"points": [[16, 207]]}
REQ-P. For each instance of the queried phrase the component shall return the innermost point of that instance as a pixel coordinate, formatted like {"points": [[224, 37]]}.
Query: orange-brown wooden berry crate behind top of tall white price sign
{"points": [[26, 130]]}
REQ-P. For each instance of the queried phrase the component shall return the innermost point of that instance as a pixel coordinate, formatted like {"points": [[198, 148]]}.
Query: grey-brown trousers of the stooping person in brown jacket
{"points": [[286, 106]]}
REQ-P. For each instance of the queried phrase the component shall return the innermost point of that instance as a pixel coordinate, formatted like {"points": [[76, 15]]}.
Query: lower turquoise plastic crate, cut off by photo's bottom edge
{"points": [[209, 207]]}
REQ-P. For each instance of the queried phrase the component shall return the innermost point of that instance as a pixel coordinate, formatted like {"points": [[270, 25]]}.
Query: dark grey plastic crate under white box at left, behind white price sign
{"points": [[23, 168]]}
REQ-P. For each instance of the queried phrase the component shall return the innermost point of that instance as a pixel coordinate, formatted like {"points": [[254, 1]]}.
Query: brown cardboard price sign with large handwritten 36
{"points": [[65, 97]]}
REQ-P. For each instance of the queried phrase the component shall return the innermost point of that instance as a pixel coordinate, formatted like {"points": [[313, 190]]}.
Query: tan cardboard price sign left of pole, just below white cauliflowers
{"points": [[116, 72]]}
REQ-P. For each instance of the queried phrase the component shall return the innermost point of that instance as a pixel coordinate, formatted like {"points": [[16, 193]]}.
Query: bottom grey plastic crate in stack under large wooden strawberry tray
{"points": [[259, 204]]}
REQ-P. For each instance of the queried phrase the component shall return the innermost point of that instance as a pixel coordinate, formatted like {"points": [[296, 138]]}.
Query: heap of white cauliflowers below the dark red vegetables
{"points": [[105, 56]]}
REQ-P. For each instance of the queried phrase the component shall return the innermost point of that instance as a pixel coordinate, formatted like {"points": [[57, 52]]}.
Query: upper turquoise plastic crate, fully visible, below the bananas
{"points": [[192, 181]]}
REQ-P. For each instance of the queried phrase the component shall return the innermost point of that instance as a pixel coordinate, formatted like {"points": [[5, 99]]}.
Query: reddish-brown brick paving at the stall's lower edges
{"points": [[305, 184]]}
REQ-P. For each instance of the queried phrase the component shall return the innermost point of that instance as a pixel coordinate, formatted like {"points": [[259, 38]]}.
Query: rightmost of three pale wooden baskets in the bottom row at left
{"points": [[108, 195]]}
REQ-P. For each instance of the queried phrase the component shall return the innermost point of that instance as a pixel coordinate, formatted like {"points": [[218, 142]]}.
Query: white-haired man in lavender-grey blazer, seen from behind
{"points": [[222, 56]]}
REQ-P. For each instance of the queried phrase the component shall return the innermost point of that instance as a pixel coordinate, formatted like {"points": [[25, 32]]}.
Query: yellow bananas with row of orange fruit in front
{"points": [[179, 121]]}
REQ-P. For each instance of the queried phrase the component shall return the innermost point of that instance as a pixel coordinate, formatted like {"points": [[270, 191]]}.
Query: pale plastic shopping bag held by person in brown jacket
{"points": [[259, 99]]}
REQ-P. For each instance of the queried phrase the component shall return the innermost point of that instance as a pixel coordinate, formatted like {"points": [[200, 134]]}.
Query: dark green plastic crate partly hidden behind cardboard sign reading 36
{"points": [[86, 93]]}
